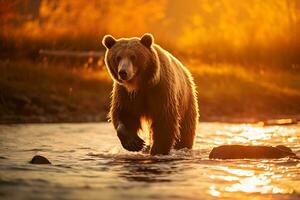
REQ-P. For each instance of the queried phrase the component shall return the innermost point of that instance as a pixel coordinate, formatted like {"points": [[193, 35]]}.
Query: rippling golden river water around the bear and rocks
{"points": [[88, 162]]}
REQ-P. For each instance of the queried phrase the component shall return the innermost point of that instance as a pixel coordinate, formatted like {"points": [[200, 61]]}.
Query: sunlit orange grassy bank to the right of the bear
{"points": [[246, 93]]}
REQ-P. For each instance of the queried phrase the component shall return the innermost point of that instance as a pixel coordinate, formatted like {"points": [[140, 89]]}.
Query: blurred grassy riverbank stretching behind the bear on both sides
{"points": [[37, 92]]}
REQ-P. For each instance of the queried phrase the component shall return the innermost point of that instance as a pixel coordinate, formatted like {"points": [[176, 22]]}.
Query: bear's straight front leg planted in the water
{"points": [[164, 132]]}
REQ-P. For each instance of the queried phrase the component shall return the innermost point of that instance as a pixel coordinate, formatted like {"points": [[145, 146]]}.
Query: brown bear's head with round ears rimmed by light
{"points": [[131, 62]]}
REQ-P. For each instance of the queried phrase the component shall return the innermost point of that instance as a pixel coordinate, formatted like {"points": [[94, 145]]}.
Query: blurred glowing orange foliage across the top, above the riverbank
{"points": [[251, 31]]}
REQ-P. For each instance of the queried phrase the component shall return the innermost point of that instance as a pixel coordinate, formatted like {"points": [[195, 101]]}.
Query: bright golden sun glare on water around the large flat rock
{"points": [[260, 177]]}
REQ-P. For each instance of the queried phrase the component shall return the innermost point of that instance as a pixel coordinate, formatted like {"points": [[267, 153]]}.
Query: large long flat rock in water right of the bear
{"points": [[250, 152]]}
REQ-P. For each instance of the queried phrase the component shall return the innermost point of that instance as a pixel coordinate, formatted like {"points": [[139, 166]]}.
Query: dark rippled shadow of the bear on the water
{"points": [[149, 169]]}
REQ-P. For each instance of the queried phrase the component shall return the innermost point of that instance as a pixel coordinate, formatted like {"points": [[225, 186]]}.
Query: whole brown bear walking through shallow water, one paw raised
{"points": [[149, 82]]}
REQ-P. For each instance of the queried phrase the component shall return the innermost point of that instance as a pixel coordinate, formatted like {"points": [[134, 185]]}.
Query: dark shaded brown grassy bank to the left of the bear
{"points": [[35, 92]]}
